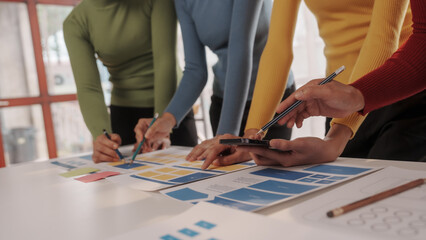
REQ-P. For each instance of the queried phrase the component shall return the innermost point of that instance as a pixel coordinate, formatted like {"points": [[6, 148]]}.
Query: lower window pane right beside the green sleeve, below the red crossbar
{"points": [[72, 135]]}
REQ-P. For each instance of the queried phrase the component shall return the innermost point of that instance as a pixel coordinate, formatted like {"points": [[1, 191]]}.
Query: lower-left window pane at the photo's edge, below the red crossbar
{"points": [[24, 137]]}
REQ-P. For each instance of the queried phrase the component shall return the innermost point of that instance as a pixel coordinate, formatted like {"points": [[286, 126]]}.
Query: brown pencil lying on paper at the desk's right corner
{"points": [[374, 198]]}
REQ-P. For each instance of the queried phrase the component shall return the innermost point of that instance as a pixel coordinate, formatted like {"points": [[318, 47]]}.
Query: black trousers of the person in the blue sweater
{"points": [[275, 131]]}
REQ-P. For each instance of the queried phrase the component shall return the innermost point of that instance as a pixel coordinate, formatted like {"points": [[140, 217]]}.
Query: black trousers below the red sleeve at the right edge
{"points": [[394, 132]]}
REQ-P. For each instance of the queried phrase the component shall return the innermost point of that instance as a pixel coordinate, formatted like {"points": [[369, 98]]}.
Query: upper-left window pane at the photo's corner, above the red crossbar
{"points": [[18, 74]]}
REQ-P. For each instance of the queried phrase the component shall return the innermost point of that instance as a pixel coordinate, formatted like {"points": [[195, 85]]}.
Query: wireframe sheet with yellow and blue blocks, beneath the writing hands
{"points": [[150, 171]]}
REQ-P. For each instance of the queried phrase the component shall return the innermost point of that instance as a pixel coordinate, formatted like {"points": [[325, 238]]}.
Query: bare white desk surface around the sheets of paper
{"points": [[37, 203]]}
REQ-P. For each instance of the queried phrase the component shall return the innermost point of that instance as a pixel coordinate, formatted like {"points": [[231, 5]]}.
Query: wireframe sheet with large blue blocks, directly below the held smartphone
{"points": [[258, 187]]}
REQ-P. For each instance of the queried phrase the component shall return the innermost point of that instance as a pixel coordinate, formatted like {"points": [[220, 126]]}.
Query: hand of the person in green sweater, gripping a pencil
{"points": [[104, 148]]}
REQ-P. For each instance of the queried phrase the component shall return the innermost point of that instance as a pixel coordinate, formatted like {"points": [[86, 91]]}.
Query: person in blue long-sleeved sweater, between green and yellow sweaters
{"points": [[236, 31]]}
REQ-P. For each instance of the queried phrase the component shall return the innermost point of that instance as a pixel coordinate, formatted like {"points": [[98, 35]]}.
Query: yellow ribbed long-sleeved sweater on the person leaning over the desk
{"points": [[360, 34]]}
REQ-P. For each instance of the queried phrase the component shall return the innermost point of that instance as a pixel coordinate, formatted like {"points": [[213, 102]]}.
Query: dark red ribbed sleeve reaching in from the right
{"points": [[404, 74]]}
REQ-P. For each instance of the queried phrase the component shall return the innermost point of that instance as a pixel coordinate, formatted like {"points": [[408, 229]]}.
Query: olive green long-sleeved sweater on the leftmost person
{"points": [[136, 41]]}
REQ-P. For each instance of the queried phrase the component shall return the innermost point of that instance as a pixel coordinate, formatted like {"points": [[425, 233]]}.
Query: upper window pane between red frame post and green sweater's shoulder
{"points": [[59, 75]]}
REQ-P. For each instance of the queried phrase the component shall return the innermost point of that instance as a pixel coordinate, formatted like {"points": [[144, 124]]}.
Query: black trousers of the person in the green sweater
{"points": [[124, 120]]}
